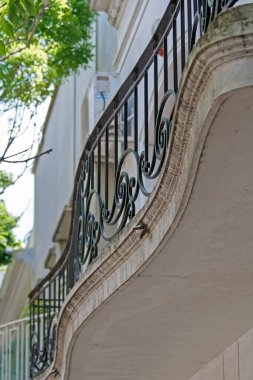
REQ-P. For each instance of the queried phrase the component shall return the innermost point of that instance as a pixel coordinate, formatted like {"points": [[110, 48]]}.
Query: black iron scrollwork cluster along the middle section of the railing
{"points": [[94, 219]]}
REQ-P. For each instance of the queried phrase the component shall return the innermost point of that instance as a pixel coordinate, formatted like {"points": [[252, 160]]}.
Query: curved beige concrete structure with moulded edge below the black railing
{"points": [[164, 305]]}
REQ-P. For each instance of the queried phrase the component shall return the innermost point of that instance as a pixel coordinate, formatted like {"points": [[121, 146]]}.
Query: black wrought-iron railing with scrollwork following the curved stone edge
{"points": [[121, 161]]}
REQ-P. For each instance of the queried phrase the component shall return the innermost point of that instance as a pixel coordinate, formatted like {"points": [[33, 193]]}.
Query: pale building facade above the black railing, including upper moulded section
{"points": [[67, 128]]}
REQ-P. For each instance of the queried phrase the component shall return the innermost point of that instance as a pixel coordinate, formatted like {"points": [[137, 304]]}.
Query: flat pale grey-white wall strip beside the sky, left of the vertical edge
{"points": [[54, 174]]}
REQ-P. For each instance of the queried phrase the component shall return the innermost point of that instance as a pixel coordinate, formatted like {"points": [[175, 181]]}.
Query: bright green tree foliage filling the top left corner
{"points": [[41, 43]]}
